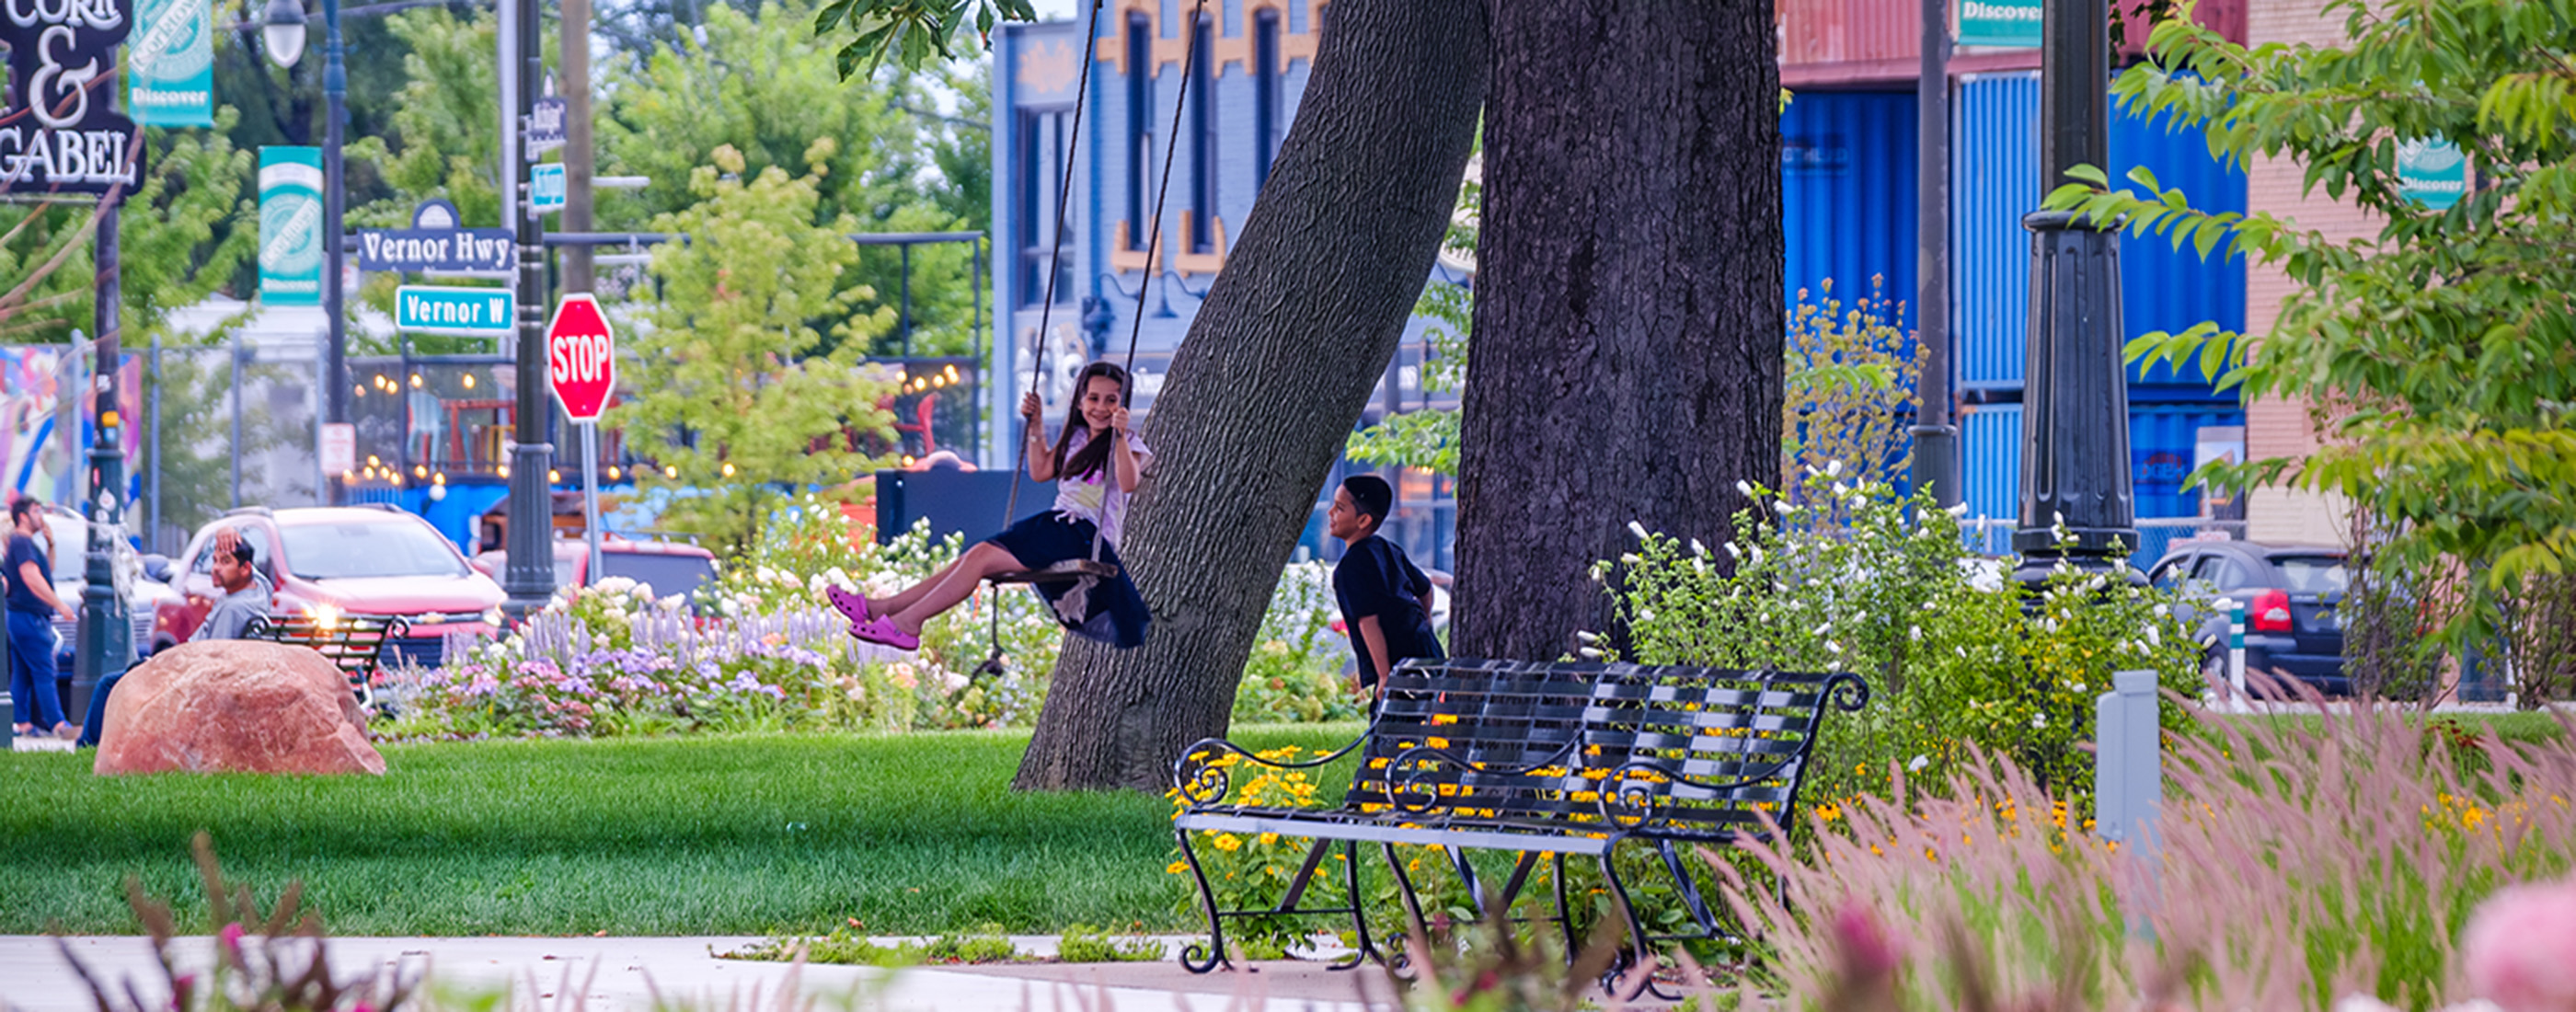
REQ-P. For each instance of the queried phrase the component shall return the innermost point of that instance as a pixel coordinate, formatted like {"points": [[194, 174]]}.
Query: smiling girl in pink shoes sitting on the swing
{"points": [[1096, 465]]}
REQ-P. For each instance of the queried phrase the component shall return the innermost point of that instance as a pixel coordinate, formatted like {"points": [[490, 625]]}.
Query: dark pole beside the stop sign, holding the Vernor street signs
{"points": [[529, 573]]}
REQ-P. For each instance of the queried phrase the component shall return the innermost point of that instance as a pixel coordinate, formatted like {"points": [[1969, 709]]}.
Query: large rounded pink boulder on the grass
{"points": [[236, 707]]}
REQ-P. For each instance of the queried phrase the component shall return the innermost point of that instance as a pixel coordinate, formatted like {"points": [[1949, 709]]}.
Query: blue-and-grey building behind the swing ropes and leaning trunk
{"points": [[1112, 285]]}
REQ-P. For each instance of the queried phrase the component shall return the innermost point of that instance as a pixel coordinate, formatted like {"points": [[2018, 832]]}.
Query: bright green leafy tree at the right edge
{"points": [[2441, 351]]}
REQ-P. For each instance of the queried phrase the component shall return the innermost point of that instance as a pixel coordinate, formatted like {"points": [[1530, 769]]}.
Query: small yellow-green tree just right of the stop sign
{"points": [[738, 395]]}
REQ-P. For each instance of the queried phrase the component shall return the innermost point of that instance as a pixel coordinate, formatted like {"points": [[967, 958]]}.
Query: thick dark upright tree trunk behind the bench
{"points": [[1627, 357]]}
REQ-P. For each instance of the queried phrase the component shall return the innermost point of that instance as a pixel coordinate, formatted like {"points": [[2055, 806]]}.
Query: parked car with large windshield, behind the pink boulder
{"points": [[346, 560]]}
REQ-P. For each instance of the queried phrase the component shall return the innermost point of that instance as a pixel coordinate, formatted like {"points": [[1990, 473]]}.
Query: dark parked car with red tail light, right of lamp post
{"points": [[2291, 596]]}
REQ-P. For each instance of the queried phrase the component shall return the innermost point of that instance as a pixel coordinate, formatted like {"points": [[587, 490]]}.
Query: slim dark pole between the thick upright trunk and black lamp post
{"points": [[1936, 434]]}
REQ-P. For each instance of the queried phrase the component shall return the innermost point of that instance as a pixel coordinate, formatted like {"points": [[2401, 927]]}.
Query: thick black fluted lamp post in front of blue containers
{"points": [[2075, 418]]}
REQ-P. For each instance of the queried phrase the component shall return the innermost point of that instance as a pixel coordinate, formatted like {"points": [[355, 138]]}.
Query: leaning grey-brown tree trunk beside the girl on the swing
{"points": [[1271, 380]]}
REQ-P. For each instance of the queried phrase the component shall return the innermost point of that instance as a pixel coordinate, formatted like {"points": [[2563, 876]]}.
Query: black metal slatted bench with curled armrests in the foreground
{"points": [[1542, 761]]}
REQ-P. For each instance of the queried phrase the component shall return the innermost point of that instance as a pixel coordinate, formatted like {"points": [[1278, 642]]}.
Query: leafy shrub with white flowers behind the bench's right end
{"points": [[1956, 655]]}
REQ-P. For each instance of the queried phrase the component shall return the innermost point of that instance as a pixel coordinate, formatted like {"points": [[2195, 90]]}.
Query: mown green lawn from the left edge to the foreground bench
{"points": [[717, 836]]}
